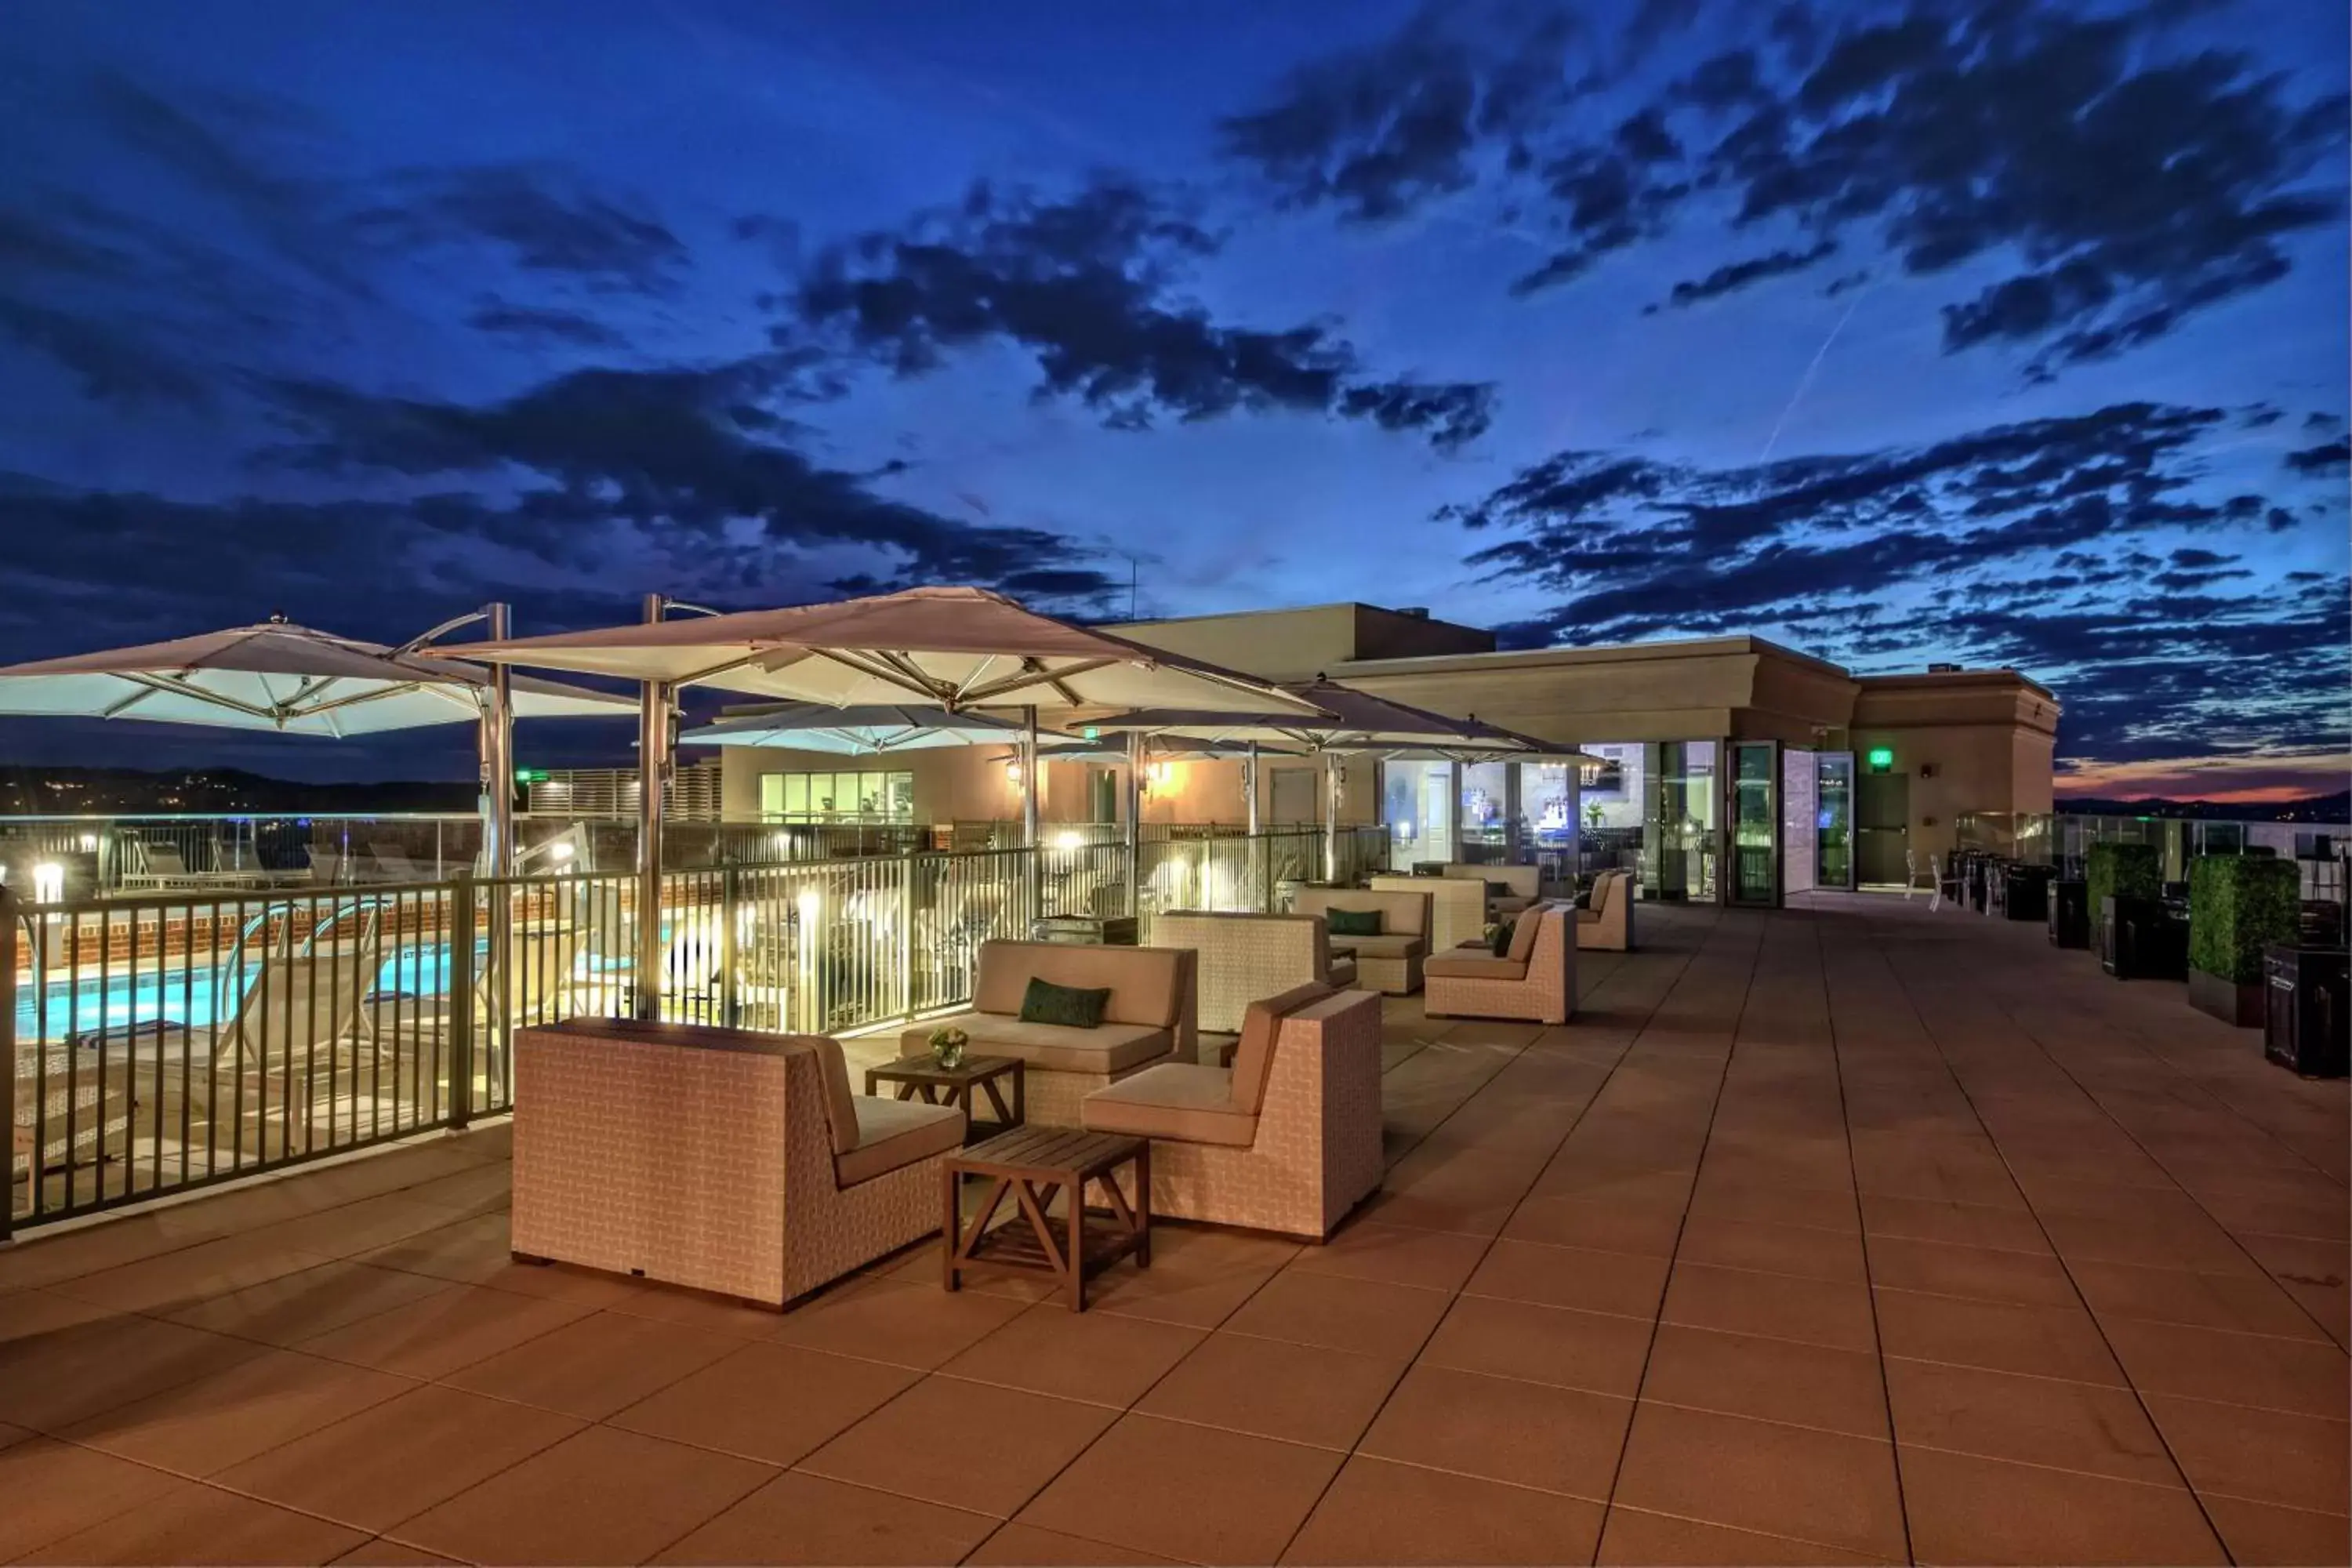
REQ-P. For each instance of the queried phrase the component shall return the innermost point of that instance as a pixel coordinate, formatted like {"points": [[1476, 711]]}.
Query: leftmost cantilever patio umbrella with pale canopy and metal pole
{"points": [[305, 683]]}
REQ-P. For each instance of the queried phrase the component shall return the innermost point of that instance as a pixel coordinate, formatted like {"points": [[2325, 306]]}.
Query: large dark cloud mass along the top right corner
{"points": [[2139, 182]]}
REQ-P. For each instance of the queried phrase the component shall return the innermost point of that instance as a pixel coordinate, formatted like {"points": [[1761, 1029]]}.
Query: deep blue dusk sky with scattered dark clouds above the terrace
{"points": [[1982, 330]]}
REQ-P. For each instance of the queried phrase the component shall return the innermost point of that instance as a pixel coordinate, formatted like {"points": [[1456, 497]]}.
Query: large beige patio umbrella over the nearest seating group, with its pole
{"points": [[958, 650]]}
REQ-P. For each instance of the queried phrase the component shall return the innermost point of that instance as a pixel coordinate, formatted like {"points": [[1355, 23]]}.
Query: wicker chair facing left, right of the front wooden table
{"points": [[1288, 1139]]}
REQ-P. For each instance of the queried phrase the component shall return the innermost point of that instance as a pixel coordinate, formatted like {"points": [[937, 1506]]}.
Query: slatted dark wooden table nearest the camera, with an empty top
{"points": [[1036, 1165]]}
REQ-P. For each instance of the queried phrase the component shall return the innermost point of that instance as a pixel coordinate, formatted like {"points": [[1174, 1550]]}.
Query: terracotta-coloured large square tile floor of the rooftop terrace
{"points": [[1833, 1235]]}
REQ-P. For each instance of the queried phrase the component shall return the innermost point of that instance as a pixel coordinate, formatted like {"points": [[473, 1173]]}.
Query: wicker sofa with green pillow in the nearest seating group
{"points": [[1147, 1019]]}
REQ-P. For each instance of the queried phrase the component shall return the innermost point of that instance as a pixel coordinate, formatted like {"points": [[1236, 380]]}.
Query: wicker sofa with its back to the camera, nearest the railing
{"points": [[719, 1160]]}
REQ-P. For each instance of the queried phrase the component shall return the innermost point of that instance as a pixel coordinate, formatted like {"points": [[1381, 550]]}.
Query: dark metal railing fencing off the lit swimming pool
{"points": [[187, 1038]]}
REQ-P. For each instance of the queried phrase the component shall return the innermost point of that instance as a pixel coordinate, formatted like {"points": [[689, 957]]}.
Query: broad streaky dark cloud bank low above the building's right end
{"points": [[2031, 544]]}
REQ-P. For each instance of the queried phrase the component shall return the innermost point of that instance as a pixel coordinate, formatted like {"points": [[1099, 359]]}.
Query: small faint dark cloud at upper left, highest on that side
{"points": [[544, 217]]}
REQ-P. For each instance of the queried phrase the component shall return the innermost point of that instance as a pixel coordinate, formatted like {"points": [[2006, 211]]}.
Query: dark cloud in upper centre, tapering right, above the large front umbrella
{"points": [[1090, 288]]}
